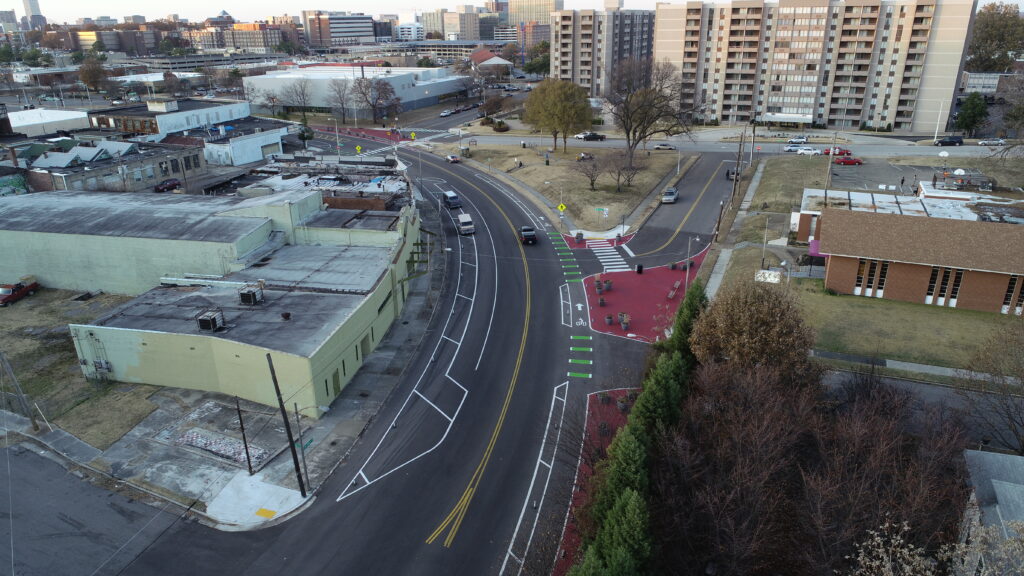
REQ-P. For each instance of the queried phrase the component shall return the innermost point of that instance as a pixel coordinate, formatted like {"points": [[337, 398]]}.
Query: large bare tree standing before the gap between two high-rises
{"points": [[647, 101]]}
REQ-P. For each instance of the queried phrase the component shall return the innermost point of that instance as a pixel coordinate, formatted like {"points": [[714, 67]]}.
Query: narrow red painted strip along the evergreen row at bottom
{"points": [[593, 439]]}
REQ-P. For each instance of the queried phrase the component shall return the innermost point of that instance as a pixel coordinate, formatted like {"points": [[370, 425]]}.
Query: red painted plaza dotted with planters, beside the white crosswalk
{"points": [[644, 297]]}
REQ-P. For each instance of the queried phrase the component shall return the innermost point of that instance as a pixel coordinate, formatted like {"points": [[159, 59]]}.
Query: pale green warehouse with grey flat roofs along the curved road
{"points": [[222, 282]]}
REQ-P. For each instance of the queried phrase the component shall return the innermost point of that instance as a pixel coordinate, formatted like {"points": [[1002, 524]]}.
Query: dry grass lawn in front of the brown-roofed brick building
{"points": [[877, 327]]}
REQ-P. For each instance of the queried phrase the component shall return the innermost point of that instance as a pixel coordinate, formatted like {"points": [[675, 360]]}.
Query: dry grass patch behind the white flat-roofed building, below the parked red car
{"points": [[784, 181]]}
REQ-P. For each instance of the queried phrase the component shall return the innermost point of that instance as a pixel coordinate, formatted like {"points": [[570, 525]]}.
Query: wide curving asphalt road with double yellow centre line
{"points": [[440, 484]]}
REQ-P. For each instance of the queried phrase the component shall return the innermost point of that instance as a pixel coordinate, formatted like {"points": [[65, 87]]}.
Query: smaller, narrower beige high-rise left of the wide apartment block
{"points": [[587, 45]]}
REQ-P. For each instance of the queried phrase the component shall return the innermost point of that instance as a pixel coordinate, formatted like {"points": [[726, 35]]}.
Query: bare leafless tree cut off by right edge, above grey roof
{"points": [[992, 391]]}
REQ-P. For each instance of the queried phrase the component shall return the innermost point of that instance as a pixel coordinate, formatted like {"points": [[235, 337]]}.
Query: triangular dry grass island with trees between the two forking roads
{"points": [[560, 183]]}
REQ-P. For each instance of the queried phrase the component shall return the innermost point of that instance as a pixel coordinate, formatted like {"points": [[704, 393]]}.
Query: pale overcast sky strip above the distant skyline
{"points": [[248, 11]]}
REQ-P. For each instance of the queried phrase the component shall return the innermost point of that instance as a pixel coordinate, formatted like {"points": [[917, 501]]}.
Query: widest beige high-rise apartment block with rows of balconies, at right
{"points": [[840, 64]]}
